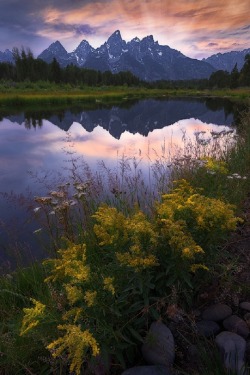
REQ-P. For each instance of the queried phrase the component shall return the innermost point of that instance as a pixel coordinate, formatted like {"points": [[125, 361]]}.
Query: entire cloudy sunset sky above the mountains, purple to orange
{"points": [[197, 28]]}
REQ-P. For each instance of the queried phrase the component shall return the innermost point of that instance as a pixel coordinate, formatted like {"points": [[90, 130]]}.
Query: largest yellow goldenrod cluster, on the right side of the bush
{"points": [[185, 211]]}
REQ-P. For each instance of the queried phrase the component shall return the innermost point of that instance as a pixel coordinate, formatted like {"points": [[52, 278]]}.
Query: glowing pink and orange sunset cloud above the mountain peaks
{"points": [[179, 24]]}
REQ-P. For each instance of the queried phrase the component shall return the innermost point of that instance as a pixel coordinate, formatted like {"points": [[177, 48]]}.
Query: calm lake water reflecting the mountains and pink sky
{"points": [[37, 149]]}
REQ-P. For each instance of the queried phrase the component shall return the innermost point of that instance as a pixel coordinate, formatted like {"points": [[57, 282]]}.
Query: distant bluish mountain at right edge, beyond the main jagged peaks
{"points": [[226, 61]]}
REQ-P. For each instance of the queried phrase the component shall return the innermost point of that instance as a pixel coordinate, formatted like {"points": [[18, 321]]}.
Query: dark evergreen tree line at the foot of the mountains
{"points": [[28, 68]]}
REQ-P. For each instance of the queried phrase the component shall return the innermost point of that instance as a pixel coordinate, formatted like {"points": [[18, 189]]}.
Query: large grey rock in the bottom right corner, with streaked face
{"points": [[232, 348]]}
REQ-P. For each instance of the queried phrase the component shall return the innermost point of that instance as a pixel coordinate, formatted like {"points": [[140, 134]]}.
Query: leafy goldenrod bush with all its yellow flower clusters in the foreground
{"points": [[121, 277]]}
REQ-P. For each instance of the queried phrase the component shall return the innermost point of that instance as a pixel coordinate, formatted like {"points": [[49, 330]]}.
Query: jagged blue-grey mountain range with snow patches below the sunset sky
{"points": [[145, 58]]}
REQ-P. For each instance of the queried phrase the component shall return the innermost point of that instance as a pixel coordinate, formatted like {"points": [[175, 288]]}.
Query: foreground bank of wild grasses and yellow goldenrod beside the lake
{"points": [[117, 266]]}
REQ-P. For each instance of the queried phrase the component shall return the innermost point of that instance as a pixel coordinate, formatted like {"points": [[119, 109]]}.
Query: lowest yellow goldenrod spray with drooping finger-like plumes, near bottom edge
{"points": [[77, 343]]}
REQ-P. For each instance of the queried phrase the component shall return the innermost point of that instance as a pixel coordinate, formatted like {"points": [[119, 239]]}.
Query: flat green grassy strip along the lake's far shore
{"points": [[21, 94]]}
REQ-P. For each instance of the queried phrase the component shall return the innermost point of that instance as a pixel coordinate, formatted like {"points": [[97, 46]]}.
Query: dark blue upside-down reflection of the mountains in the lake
{"points": [[141, 117]]}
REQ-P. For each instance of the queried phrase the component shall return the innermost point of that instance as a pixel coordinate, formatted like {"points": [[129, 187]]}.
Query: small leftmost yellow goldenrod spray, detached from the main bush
{"points": [[32, 316]]}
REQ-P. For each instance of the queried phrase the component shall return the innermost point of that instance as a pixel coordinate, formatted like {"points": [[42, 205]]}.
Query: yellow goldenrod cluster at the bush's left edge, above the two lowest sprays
{"points": [[70, 263]]}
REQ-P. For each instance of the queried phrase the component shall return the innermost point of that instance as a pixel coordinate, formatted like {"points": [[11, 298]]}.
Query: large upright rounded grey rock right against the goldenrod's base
{"points": [[159, 346]]}
